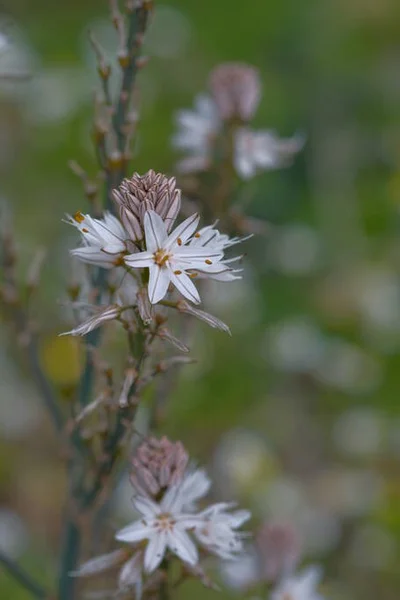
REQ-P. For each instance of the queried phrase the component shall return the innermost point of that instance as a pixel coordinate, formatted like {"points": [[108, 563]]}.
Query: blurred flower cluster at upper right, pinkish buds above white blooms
{"points": [[235, 93]]}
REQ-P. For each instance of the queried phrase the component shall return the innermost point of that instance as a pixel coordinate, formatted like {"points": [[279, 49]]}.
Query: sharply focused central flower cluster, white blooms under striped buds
{"points": [[147, 253]]}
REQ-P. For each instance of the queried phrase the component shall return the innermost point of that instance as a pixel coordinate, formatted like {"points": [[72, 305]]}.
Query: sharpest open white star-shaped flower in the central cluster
{"points": [[171, 259]]}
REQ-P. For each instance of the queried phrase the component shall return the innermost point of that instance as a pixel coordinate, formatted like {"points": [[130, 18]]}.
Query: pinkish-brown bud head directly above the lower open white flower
{"points": [[158, 464]]}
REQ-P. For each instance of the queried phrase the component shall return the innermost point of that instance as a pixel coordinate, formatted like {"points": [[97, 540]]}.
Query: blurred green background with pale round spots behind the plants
{"points": [[298, 414]]}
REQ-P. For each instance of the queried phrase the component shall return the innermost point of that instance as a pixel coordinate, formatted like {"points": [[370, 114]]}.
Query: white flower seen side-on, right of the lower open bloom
{"points": [[217, 530]]}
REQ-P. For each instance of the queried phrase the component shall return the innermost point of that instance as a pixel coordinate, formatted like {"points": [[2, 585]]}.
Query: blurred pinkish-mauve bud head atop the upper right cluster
{"points": [[236, 90]]}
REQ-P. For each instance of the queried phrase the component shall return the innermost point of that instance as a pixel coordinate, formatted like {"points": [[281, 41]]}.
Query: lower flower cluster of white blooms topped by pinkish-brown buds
{"points": [[169, 520]]}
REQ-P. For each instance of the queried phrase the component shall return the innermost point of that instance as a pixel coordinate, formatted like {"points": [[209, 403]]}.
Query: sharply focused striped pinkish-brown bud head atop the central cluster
{"points": [[141, 193]]}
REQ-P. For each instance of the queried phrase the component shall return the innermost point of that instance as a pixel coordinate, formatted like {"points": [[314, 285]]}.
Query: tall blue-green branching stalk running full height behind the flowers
{"points": [[83, 498]]}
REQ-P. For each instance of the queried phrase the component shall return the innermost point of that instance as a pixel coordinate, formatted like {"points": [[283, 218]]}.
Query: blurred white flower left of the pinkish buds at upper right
{"points": [[196, 130]]}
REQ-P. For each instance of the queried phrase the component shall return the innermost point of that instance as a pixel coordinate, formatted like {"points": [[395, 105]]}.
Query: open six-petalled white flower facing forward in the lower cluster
{"points": [[164, 526]]}
